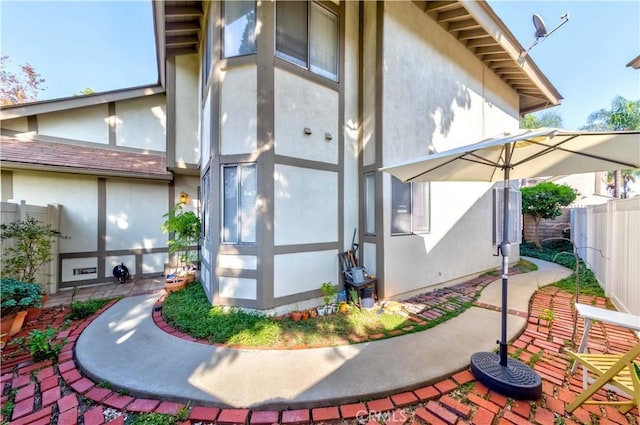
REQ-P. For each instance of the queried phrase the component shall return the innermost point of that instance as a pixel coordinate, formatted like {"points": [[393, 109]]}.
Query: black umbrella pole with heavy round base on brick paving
{"points": [[509, 377]]}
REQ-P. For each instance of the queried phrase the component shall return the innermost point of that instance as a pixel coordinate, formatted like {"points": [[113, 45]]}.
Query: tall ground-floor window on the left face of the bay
{"points": [[239, 204]]}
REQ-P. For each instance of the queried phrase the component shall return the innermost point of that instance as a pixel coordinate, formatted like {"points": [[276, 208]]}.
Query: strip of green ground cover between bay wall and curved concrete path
{"points": [[189, 311]]}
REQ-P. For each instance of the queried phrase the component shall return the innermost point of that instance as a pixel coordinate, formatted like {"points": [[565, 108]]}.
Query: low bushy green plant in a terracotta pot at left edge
{"points": [[16, 297]]}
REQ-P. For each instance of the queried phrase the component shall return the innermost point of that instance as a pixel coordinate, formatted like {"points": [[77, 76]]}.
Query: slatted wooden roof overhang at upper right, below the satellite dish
{"points": [[477, 27]]}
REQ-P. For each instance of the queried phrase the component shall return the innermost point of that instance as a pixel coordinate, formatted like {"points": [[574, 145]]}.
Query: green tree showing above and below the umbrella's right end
{"points": [[623, 115]]}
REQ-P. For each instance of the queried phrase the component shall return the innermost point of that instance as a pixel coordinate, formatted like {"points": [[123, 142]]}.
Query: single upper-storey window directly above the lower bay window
{"points": [[239, 34]]}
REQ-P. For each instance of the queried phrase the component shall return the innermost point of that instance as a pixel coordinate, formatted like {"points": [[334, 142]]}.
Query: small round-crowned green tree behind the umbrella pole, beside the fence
{"points": [[544, 201]]}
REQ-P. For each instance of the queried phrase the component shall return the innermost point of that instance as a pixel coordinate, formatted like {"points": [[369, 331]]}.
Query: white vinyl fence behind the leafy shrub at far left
{"points": [[50, 214]]}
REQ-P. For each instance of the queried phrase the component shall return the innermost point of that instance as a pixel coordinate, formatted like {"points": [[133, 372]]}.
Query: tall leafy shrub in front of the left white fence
{"points": [[31, 249]]}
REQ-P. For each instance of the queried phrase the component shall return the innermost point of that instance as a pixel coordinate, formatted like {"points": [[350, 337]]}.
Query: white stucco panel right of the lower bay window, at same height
{"points": [[305, 206]]}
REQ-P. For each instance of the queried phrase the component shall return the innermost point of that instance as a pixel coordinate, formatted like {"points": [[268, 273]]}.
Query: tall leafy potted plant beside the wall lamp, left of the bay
{"points": [[184, 226]]}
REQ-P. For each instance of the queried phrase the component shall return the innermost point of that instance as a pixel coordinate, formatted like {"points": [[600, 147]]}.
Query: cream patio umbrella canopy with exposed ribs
{"points": [[528, 153]]}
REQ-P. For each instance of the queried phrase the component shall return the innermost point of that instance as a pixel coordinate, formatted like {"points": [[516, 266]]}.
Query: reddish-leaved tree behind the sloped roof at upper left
{"points": [[18, 88]]}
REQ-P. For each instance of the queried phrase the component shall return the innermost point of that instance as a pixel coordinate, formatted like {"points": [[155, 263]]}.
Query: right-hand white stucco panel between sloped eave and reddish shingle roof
{"points": [[141, 123]]}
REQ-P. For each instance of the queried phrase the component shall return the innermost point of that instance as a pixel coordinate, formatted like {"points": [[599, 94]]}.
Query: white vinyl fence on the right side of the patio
{"points": [[608, 240]]}
